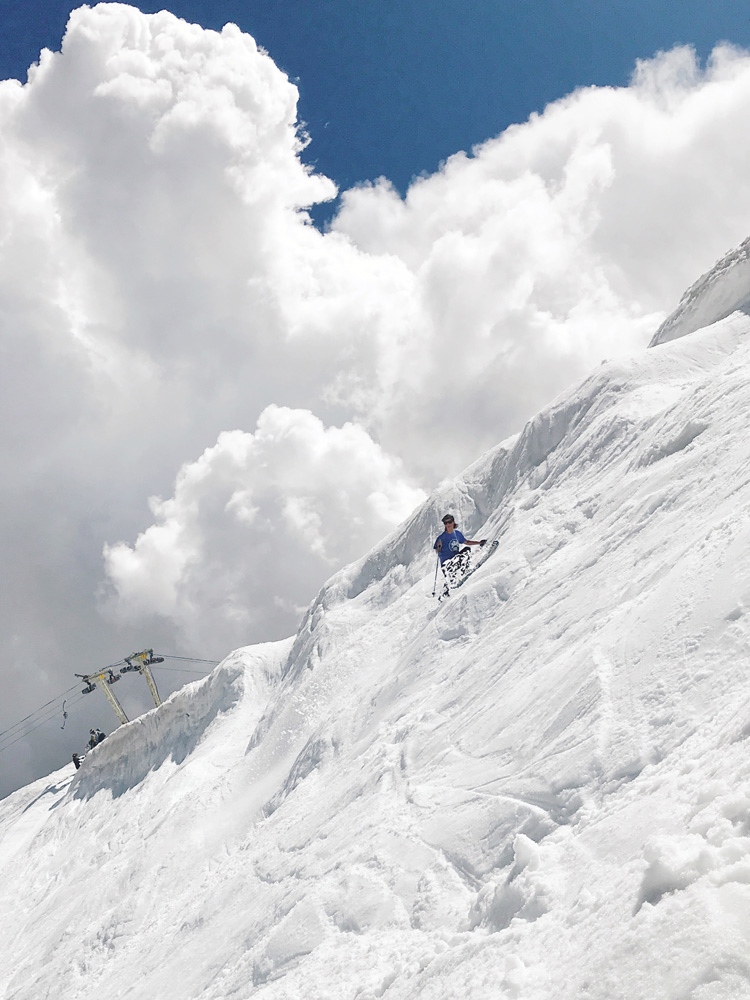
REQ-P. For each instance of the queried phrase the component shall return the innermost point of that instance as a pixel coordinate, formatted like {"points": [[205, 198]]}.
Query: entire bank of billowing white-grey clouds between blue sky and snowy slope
{"points": [[160, 283]]}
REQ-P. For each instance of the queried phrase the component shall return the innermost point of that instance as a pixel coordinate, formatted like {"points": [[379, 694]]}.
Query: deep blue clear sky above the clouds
{"points": [[393, 88]]}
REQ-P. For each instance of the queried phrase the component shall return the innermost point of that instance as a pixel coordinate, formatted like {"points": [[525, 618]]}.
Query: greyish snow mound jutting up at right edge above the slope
{"points": [[714, 296]]}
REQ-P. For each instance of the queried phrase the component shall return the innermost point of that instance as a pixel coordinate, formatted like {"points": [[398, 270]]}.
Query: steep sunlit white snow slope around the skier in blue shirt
{"points": [[540, 788]]}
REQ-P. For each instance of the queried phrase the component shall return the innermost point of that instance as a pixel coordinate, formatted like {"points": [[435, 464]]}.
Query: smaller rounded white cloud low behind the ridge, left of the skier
{"points": [[255, 522]]}
